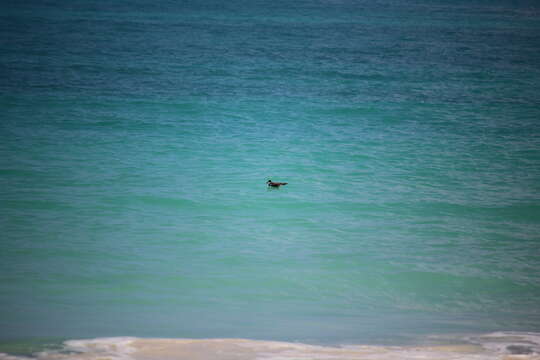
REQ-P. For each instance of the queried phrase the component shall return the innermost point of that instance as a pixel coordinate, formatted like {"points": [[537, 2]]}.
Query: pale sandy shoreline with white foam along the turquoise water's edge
{"points": [[499, 345]]}
